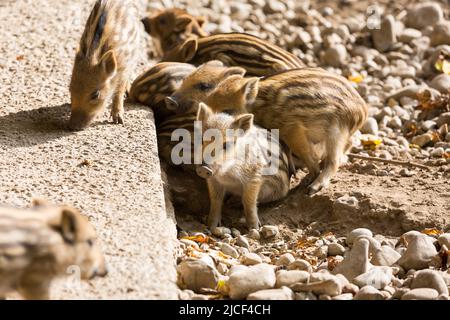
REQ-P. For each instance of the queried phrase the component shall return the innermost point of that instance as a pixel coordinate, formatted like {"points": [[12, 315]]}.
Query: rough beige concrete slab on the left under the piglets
{"points": [[120, 188]]}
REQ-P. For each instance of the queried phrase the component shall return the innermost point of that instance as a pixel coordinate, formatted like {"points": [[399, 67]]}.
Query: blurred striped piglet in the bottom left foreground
{"points": [[40, 244]]}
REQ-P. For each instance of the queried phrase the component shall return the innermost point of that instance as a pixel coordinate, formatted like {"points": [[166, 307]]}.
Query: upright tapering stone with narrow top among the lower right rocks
{"points": [[356, 261]]}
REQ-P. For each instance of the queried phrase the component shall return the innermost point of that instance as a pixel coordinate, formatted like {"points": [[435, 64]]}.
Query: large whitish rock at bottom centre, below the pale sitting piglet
{"points": [[245, 280]]}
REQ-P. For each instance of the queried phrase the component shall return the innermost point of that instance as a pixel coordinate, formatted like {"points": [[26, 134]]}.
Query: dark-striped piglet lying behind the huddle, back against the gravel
{"points": [[258, 57]]}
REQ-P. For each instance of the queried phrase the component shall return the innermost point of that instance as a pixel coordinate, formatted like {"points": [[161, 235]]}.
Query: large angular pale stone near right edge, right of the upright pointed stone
{"points": [[419, 253]]}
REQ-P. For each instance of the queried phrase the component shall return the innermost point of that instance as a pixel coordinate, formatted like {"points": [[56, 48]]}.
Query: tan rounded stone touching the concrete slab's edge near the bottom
{"points": [[197, 274]]}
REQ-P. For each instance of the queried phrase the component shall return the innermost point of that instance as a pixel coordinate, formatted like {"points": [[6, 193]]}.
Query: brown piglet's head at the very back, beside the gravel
{"points": [[172, 27]]}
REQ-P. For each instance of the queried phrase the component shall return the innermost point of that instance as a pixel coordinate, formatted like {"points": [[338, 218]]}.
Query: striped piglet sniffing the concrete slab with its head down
{"points": [[106, 56]]}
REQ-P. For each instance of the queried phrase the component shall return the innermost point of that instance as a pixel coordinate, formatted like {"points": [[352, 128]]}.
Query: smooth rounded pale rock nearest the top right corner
{"points": [[424, 15]]}
